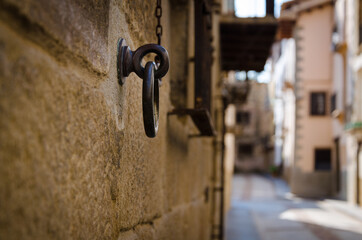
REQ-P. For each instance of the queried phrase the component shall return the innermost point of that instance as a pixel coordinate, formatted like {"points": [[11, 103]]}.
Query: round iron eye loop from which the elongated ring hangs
{"points": [[143, 51]]}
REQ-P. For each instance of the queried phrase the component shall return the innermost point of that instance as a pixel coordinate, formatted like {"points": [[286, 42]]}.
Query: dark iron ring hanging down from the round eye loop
{"points": [[150, 100]]}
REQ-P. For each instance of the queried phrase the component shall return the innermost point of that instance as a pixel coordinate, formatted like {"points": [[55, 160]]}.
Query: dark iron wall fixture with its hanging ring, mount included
{"points": [[129, 61]]}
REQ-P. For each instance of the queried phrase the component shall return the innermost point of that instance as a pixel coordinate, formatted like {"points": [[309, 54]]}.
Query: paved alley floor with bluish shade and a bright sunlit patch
{"points": [[263, 209]]}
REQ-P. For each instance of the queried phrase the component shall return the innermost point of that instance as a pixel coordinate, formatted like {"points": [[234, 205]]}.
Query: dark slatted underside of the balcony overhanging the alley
{"points": [[245, 42]]}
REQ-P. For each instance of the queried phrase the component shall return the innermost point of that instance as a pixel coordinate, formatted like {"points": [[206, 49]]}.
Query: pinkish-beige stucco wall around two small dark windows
{"points": [[314, 74]]}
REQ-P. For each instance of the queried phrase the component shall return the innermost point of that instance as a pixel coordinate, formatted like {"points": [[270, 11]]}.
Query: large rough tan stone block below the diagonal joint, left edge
{"points": [[57, 163]]}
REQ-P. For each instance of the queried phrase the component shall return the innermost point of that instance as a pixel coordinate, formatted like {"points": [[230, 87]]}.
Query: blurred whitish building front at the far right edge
{"points": [[347, 46]]}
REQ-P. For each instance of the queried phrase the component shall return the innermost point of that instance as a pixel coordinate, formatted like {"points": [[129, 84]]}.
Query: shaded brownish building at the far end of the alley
{"points": [[253, 131]]}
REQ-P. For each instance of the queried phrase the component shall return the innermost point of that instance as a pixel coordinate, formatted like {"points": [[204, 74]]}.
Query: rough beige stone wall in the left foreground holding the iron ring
{"points": [[75, 161]]}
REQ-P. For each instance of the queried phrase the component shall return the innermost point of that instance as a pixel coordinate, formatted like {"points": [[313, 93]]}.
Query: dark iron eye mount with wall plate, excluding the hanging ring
{"points": [[129, 61]]}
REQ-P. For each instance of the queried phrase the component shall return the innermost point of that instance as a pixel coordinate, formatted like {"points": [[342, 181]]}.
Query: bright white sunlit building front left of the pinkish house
{"points": [[283, 102]]}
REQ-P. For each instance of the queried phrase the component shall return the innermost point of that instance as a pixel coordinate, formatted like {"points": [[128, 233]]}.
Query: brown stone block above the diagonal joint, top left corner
{"points": [[80, 26]]}
